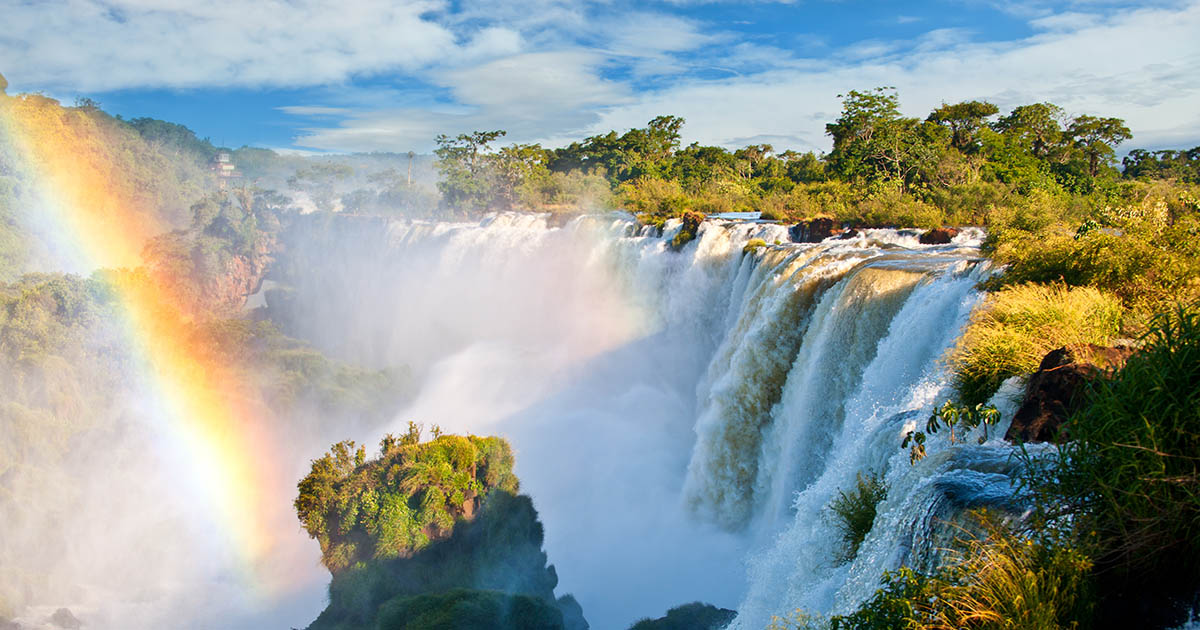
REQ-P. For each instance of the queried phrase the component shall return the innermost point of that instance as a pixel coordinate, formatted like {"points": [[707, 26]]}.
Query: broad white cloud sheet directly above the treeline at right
{"points": [[1143, 65]]}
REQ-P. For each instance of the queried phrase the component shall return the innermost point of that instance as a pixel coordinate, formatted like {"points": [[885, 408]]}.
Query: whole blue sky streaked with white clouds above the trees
{"points": [[380, 75]]}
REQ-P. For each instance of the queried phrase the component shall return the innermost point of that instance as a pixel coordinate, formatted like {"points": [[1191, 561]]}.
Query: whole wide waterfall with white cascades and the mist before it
{"points": [[677, 416]]}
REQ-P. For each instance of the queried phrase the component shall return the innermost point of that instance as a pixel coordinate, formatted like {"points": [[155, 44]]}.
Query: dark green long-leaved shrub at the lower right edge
{"points": [[1129, 485]]}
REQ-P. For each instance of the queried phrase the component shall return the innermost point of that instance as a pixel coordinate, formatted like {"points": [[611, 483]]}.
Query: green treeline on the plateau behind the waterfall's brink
{"points": [[885, 169]]}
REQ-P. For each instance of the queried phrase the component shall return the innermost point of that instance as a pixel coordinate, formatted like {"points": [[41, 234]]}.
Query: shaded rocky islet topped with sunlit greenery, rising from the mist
{"points": [[430, 536]]}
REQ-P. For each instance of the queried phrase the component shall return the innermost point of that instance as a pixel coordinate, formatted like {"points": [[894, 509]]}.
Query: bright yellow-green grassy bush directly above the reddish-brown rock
{"points": [[1018, 326]]}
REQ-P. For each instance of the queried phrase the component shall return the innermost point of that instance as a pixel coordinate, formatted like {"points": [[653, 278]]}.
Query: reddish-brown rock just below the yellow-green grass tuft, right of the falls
{"points": [[1057, 389]]}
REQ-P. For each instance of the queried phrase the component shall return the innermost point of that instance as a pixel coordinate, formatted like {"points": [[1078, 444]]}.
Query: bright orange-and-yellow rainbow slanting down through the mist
{"points": [[217, 430]]}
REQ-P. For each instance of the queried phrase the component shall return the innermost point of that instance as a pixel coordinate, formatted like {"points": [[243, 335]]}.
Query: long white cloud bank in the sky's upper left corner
{"points": [[106, 45]]}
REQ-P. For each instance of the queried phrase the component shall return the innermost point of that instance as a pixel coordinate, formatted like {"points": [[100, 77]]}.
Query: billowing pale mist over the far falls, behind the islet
{"points": [[580, 345]]}
